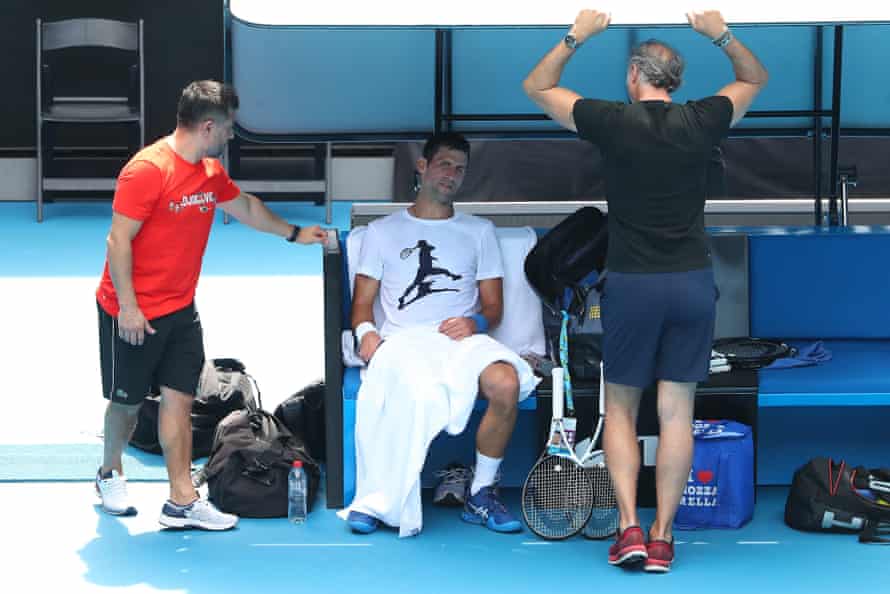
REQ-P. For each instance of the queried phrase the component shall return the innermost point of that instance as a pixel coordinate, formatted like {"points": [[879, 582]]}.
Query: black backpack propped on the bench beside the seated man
{"points": [[570, 258]]}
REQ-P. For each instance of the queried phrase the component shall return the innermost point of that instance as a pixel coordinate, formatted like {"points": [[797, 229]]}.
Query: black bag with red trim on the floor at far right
{"points": [[829, 496]]}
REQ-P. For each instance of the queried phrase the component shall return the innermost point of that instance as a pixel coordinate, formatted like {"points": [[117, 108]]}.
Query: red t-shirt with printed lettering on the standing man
{"points": [[176, 201]]}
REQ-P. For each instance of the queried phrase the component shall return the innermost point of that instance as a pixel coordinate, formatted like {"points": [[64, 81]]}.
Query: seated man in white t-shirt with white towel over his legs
{"points": [[431, 357]]}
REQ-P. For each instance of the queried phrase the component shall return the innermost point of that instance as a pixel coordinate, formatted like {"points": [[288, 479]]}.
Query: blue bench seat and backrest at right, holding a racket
{"points": [[833, 285]]}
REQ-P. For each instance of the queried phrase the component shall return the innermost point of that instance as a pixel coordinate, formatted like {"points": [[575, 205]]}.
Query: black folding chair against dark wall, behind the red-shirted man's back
{"points": [[83, 104]]}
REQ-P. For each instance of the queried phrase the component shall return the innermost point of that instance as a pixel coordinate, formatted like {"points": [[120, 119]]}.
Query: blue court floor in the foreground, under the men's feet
{"points": [[58, 540]]}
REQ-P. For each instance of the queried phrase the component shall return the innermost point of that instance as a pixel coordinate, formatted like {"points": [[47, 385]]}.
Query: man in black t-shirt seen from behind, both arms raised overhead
{"points": [[659, 298]]}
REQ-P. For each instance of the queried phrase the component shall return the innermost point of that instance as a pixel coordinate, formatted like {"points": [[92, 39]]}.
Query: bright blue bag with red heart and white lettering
{"points": [[720, 490]]}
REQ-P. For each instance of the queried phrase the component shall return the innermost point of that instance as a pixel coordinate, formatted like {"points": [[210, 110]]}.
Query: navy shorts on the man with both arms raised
{"points": [[658, 326]]}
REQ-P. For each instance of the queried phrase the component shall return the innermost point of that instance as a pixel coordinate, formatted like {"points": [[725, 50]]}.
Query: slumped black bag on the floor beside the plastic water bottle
{"points": [[247, 470]]}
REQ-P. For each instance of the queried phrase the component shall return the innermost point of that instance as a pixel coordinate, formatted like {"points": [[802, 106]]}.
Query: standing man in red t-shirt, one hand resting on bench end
{"points": [[149, 330]]}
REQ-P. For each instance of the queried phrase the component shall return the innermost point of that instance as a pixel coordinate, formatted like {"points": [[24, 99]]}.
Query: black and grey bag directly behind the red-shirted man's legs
{"points": [[224, 387]]}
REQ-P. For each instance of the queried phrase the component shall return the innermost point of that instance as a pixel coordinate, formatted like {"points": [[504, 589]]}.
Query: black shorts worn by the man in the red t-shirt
{"points": [[173, 356]]}
